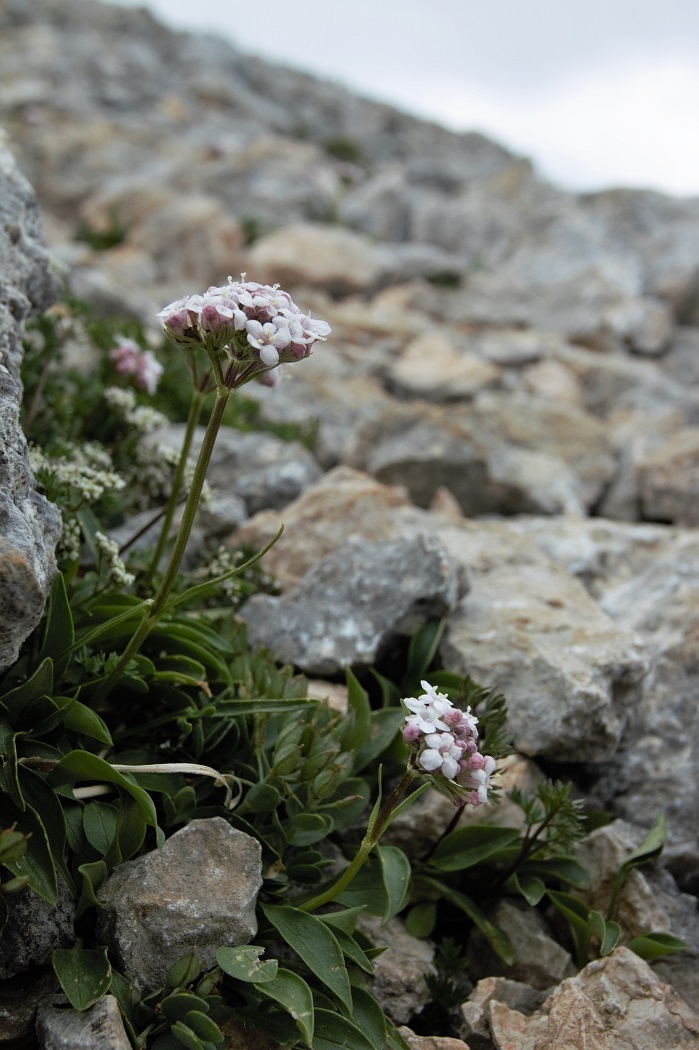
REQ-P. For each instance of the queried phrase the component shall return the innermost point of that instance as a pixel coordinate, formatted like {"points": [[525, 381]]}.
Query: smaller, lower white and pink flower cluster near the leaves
{"points": [[443, 741]]}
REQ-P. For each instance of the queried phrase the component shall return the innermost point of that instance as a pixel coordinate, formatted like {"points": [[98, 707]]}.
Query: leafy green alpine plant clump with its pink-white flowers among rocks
{"points": [[138, 706]]}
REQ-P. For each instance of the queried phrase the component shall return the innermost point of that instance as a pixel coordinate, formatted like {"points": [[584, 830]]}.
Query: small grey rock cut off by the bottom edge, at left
{"points": [[101, 1027]]}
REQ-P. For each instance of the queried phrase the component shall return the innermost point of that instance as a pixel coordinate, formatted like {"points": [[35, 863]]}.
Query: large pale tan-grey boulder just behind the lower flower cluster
{"points": [[570, 675]]}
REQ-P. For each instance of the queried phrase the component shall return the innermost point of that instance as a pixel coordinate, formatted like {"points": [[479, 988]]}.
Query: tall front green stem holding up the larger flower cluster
{"points": [[189, 514]]}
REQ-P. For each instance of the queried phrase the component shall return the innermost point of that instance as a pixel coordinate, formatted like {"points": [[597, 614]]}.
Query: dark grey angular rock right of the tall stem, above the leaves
{"points": [[354, 603]]}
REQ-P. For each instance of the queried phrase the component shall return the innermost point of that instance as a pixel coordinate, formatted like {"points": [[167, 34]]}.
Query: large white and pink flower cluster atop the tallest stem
{"points": [[255, 324]]}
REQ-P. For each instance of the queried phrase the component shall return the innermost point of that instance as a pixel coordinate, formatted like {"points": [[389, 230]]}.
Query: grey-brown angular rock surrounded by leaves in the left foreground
{"points": [[195, 894]]}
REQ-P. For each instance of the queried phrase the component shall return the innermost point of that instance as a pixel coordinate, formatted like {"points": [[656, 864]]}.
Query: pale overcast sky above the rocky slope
{"points": [[598, 93]]}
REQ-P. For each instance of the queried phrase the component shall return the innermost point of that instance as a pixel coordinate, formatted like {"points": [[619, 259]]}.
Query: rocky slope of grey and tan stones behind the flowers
{"points": [[509, 417]]}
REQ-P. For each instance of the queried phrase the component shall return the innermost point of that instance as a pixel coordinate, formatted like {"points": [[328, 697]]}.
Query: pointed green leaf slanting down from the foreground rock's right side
{"points": [[315, 944]]}
